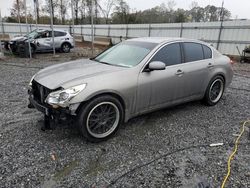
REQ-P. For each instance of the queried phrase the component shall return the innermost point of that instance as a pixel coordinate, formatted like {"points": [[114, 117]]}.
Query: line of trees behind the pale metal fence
{"points": [[111, 11]]}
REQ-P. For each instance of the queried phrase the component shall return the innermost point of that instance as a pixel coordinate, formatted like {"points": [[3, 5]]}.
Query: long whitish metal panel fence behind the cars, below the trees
{"points": [[226, 37]]}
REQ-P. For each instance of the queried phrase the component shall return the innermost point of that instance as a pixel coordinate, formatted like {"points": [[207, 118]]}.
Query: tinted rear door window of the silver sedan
{"points": [[192, 51]]}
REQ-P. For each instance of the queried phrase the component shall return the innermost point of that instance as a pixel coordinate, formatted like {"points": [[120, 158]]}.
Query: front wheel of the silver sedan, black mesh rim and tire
{"points": [[92, 119]]}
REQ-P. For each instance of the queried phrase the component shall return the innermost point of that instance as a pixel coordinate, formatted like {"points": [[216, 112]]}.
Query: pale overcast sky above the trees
{"points": [[239, 8]]}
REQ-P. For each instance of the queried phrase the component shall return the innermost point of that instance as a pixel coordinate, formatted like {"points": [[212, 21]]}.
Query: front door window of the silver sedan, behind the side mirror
{"points": [[170, 54]]}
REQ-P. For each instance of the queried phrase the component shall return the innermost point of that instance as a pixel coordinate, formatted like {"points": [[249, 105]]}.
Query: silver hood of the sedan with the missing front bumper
{"points": [[72, 73]]}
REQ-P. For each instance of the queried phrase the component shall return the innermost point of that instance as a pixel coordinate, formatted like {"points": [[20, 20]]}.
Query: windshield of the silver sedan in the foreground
{"points": [[127, 54]]}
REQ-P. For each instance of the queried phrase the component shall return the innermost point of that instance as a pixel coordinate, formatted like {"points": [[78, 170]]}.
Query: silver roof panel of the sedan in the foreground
{"points": [[159, 40]]}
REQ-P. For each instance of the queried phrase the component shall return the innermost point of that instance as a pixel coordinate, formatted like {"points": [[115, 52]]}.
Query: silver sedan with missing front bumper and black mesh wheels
{"points": [[136, 76]]}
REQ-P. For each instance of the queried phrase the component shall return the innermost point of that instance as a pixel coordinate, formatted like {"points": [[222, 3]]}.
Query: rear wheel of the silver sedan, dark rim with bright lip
{"points": [[214, 91]]}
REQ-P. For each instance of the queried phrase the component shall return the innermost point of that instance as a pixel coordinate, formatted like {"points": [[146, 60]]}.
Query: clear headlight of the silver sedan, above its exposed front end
{"points": [[63, 96]]}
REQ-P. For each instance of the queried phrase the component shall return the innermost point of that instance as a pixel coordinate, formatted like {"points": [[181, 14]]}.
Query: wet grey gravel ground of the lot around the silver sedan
{"points": [[167, 148]]}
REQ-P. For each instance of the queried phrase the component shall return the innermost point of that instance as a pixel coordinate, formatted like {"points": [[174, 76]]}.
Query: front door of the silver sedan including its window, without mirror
{"points": [[161, 87]]}
